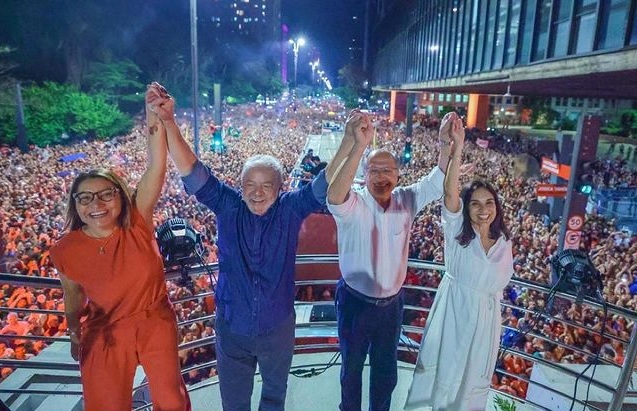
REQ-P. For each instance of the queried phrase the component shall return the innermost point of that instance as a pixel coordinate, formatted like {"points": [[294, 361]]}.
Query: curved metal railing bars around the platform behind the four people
{"points": [[617, 392]]}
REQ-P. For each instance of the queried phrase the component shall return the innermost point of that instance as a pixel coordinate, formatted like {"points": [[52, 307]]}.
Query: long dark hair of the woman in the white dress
{"points": [[497, 228]]}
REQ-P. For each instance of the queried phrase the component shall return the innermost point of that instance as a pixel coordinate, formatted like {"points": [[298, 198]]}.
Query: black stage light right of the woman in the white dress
{"points": [[572, 272]]}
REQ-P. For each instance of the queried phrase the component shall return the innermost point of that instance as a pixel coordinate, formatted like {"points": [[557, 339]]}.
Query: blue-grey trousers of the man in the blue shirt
{"points": [[237, 358]]}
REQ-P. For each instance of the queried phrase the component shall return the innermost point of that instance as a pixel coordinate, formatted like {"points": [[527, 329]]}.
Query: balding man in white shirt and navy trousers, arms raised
{"points": [[373, 242]]}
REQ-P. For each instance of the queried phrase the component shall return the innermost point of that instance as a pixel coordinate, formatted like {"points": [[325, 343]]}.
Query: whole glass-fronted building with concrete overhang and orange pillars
{"points": [[578, 49]]}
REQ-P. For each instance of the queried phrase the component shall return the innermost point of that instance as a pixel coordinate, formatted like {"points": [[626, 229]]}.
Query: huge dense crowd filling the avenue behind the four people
{"points": [[35, 183]]}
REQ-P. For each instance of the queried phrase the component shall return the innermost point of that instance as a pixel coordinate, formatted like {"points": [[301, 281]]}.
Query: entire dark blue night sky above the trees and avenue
{"points": [[155, 33]]}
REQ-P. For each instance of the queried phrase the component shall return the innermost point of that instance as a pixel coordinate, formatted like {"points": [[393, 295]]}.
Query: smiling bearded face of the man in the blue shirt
{"points": [[260, 187]]}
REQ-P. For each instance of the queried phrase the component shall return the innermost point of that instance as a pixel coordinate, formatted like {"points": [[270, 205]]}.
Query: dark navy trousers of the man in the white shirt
{"points": [[365, 328]]}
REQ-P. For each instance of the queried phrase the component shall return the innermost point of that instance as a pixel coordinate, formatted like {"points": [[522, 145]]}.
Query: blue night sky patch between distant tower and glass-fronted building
{"points": [[328, 26]]}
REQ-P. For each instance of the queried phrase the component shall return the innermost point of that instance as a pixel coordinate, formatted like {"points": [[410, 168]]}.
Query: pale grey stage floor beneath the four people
{"points": [[316, 393]]}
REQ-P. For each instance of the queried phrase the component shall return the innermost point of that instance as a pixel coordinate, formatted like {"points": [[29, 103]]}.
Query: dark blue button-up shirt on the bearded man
{"points": [[255, 289]]}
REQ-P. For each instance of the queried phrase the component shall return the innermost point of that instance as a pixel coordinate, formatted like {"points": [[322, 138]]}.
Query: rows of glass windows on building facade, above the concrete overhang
{"points": [[423, 41]]}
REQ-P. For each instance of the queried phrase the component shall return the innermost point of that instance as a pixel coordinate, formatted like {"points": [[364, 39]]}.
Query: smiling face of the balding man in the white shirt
{"points": [[381, 175]]}
